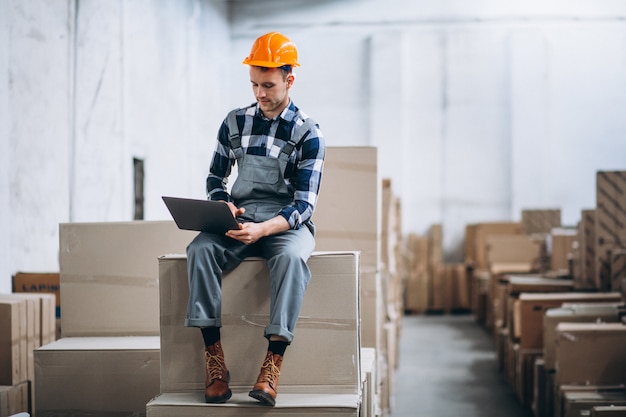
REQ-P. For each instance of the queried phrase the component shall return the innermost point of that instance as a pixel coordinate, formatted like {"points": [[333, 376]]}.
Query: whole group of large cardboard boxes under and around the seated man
{"points": [[124, 349]]}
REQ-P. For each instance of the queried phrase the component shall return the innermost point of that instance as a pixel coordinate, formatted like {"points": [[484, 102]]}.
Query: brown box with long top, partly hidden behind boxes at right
{"points": [[529, 308]]}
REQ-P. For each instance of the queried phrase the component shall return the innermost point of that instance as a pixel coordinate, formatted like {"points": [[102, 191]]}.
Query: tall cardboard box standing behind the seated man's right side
{"points": [[351, 179]]}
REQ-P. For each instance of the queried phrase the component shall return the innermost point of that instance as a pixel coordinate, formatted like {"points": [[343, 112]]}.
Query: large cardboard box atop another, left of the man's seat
{"points": [[107, 361]]}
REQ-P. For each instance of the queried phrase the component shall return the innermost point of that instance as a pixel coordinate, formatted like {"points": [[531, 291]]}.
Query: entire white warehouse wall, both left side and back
{"points": [[479, 108]]}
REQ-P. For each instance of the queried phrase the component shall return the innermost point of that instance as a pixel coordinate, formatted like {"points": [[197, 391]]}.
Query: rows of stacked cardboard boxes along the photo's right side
{"points": [[554, 299]]}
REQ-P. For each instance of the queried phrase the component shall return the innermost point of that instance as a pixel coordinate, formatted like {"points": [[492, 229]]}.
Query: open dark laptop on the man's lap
{"points": [[201, 215]]}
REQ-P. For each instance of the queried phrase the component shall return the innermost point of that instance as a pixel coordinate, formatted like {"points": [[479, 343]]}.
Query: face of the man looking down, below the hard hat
{"points": [[271, 90]]}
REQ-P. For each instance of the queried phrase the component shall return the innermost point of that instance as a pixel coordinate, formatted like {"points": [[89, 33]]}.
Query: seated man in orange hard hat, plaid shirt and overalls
{"points": [[280, 155]]}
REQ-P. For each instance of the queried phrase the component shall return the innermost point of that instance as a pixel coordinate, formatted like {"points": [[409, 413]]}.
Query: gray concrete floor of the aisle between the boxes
{"points": [[448, 368]]}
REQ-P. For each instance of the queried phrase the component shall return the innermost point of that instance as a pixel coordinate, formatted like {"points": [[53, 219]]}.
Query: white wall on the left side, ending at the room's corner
{"points": [[88, 85]]}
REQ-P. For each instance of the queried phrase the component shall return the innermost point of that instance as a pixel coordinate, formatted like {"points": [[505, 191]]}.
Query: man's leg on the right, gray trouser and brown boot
{"points": [[287, 255]]}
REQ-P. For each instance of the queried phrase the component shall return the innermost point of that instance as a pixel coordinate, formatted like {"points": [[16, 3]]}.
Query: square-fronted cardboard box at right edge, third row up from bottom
{"points": [[590, 353]]}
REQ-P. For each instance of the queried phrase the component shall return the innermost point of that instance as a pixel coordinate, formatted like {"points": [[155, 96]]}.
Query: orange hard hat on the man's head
{"points": [[273, 50]]}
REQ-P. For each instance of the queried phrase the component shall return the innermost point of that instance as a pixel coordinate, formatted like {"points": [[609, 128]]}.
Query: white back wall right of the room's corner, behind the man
{"points": [[480, 108]]}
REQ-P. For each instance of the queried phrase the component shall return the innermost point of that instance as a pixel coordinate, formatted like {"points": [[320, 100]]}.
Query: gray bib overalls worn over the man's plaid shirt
{"points": [[260, 188]]}
